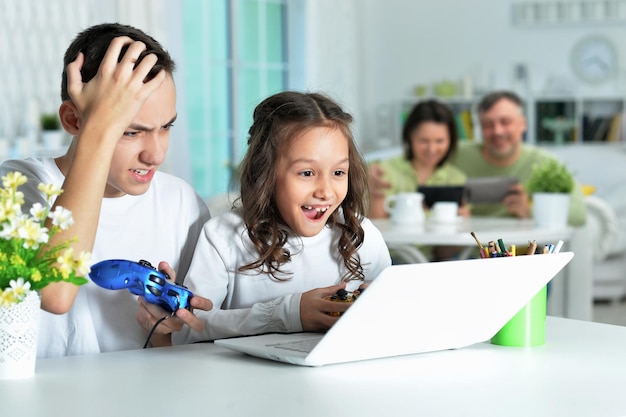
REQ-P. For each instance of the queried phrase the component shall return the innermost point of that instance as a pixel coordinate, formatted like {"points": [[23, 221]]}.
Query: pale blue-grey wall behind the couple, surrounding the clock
{"points": [[409, 42]]}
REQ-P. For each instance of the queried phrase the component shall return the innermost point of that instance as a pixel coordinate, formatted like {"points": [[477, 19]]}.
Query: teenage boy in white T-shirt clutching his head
{"points": [[118, 103]]}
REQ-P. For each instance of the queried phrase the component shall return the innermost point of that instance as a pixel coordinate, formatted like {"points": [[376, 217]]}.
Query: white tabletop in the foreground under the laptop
{"points": [[580, 371]]}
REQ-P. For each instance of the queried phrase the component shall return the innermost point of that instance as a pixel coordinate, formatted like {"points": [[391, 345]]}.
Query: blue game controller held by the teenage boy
{"points": [[142, 279]]}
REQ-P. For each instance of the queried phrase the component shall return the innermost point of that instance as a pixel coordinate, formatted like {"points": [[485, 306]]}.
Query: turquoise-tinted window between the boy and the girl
{"points": [[234, 56]]}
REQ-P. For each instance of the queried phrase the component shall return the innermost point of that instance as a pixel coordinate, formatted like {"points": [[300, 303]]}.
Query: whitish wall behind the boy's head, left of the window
{"points": [[34, 35]]}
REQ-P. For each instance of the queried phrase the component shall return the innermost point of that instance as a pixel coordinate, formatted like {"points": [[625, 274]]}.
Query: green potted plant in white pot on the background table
{"points": [[550, 186]]}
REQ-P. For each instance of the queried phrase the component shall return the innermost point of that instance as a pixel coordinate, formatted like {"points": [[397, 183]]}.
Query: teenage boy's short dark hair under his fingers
{"points": [[94, 41]]}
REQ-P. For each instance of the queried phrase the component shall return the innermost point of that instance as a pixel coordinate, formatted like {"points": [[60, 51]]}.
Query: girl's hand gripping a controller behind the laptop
{"points": [[313, 308]]}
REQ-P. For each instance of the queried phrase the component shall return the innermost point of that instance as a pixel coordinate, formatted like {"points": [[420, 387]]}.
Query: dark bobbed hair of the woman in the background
{"points": [[429, 111]]}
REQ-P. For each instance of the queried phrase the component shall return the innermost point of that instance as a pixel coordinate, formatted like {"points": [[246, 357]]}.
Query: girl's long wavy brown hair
{"points": [[278, 121]]}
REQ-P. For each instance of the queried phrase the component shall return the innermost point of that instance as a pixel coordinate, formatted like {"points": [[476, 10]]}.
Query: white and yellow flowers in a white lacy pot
{"points": [[28, 264]]}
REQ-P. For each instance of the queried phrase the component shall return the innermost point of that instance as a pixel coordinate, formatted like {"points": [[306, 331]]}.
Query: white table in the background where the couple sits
{"points": [[571, 291]]}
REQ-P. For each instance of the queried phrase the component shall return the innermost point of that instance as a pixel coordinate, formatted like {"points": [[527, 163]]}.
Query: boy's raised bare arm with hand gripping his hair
{"points": [[97, 117]]}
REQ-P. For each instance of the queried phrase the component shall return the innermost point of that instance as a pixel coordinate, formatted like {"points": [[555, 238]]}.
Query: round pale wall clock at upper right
{"points": [[594, 59]]}
